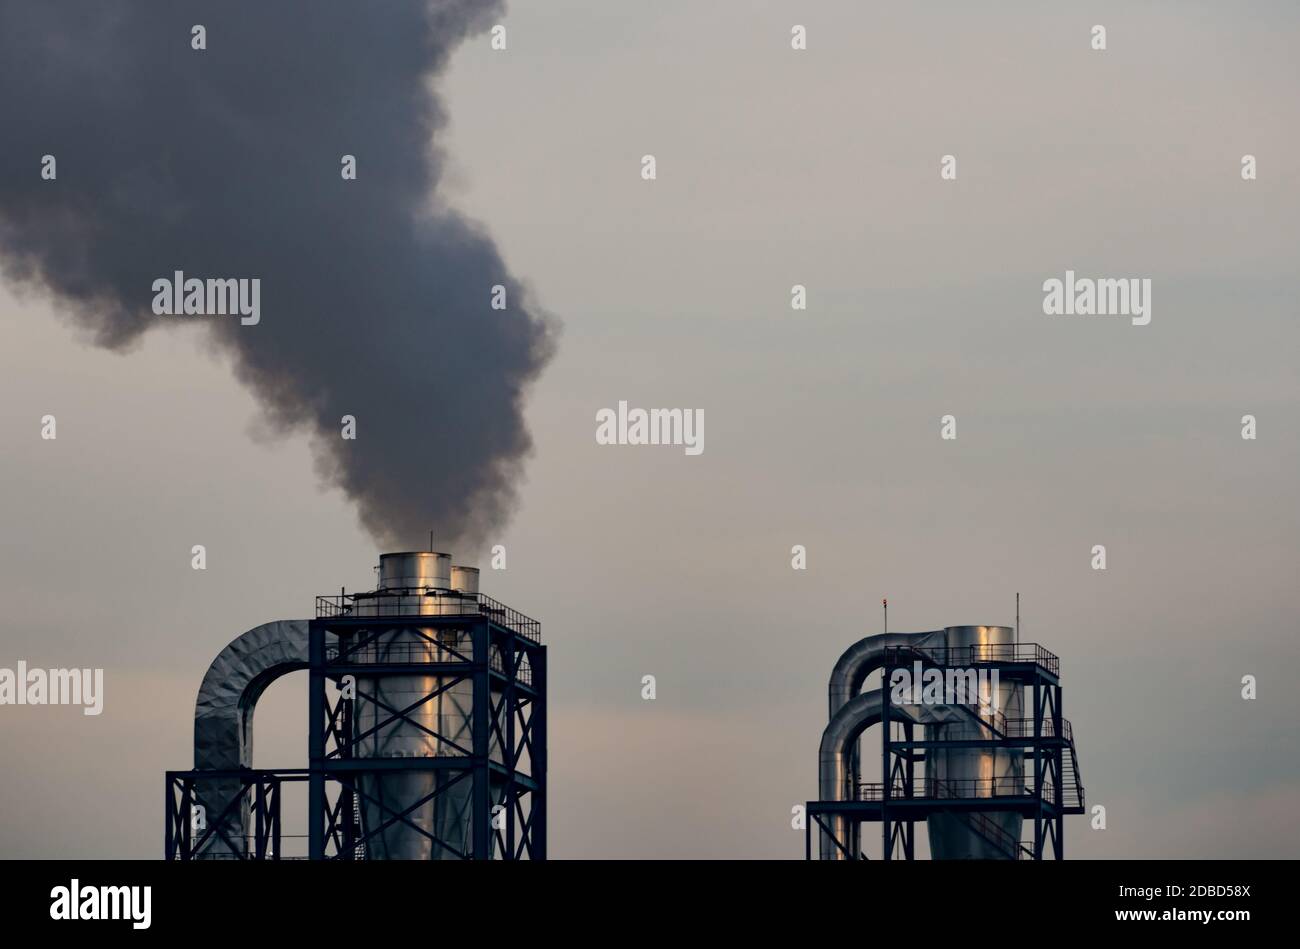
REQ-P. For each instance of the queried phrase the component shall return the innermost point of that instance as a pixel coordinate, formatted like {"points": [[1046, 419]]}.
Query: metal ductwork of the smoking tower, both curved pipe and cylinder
{"points": [[423, 584]]}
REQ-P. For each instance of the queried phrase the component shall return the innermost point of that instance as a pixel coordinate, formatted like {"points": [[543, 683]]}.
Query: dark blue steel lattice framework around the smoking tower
{"points": [[506, 666]]}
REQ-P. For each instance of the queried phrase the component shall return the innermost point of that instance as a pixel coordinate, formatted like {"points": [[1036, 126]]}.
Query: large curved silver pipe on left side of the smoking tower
{"points": [[223, 720]]}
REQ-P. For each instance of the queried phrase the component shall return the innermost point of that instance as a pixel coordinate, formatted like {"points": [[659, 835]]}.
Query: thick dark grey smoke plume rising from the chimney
{"points": [[226, 163]]}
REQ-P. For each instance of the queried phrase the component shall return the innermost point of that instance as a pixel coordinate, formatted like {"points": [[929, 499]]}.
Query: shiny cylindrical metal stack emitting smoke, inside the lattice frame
{"points": [[417, 584]]}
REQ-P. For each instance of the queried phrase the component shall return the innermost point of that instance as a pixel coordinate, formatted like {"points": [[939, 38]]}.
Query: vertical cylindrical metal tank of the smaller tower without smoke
{"points": [[977, 772]]}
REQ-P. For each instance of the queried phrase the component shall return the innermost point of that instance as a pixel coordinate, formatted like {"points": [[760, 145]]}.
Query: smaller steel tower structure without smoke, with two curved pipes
{"points": [[974, 746]]}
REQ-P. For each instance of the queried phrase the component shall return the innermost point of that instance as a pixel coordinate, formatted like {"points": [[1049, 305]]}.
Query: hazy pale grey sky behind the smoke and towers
{"points": [[824, 427]]}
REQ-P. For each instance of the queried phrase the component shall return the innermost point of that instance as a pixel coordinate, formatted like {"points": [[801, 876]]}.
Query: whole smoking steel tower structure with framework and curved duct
{"points": [[427, 731]]}
